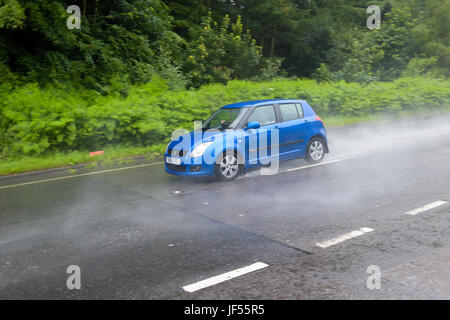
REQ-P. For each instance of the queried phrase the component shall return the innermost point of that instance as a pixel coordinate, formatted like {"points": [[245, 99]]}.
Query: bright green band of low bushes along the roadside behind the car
{"points": [[35, 120]]}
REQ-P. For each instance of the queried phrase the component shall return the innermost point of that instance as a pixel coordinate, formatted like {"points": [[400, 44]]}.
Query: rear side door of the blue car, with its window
{"points": [[293, 131]]}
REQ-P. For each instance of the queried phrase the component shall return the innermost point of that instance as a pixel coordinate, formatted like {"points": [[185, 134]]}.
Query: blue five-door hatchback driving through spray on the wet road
{"points": [[245, 135]]}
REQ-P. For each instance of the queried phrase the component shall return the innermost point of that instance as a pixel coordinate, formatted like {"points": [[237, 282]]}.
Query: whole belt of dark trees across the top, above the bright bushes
{"points": [[193, 42]]}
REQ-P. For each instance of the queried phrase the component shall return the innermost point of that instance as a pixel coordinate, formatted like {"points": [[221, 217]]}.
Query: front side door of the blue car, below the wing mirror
{"points": [[260, 142]]}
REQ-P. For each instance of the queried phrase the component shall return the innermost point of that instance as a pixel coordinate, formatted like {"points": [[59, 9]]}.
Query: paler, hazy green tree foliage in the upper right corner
{"points": [[413, 40]]}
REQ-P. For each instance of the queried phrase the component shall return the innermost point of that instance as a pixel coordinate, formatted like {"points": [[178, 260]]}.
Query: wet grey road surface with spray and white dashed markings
{"points": [[138, 233]]}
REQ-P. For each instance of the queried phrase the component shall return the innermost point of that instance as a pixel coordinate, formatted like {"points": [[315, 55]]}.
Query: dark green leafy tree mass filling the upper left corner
{"points": [[131, 40]]}
